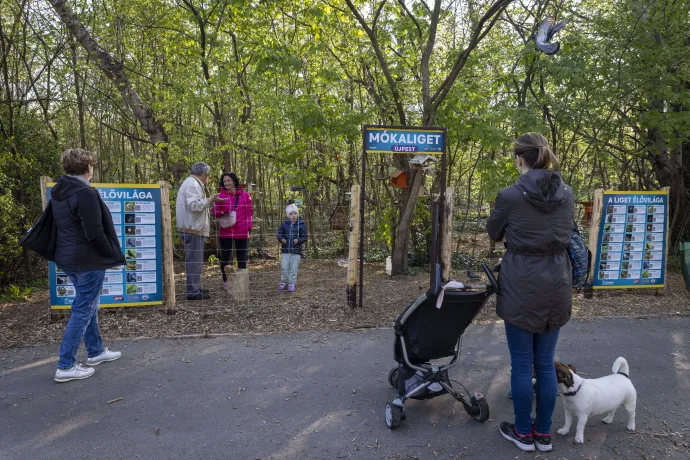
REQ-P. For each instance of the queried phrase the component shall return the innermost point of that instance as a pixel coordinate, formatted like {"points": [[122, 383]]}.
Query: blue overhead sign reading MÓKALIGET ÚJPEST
{"points": [[430, 141]]}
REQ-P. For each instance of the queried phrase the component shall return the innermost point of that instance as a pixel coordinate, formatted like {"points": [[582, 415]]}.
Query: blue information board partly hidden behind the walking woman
{"points": [[136, 212]]}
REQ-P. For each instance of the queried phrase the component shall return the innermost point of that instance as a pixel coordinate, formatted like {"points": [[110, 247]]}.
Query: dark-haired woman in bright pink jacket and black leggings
{"points": [[239, 202]]}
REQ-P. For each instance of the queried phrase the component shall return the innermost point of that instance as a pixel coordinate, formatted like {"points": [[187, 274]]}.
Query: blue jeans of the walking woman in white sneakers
{"points": [[83, 322]]}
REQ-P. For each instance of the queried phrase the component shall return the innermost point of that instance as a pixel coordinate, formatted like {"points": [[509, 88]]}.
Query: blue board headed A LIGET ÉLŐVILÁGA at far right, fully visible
{"points": [[631, 249]]}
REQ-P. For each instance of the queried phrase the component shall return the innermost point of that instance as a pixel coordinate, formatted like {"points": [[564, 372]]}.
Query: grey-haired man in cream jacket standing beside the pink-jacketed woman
{"points": [[192, 214]]}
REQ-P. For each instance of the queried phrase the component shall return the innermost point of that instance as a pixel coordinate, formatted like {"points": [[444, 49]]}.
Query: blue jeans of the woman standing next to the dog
{"points": [[528, 350]]}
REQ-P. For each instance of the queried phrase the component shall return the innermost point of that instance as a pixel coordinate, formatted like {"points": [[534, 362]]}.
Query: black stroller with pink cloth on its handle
{"points": [[424, 332]]}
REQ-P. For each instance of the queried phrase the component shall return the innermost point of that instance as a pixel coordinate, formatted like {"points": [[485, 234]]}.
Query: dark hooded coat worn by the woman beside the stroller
{"points": [[535, 284]]}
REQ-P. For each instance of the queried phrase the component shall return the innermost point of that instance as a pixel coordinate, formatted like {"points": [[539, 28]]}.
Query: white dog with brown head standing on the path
{"points": [[586, 397]]}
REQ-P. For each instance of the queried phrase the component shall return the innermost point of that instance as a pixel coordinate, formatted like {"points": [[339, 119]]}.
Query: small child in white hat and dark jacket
{"points": [[292, 234]]}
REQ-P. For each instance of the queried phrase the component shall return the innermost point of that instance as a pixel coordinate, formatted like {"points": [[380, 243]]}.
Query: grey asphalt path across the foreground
{"points": [[322, 396]]}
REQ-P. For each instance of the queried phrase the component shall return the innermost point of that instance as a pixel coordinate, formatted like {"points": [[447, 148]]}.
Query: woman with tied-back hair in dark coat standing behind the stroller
{"points": [[534, 217]]}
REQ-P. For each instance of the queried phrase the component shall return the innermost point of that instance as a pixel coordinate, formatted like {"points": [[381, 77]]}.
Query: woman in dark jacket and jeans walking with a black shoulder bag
{"points": [[86, 246]]}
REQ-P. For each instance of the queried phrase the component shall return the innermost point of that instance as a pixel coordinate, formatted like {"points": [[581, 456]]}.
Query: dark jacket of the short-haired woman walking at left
{"points": [[86, 238]]}
